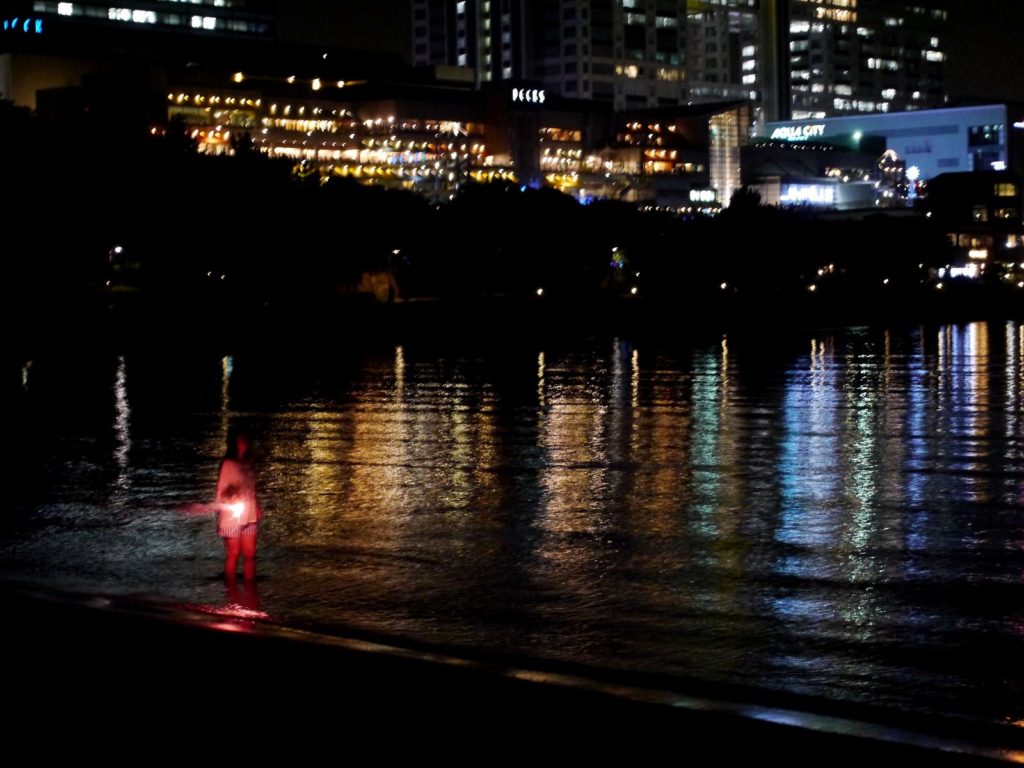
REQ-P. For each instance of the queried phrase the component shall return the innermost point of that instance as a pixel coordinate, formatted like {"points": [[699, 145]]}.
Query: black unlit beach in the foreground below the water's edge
{"points": [[105, 678]]}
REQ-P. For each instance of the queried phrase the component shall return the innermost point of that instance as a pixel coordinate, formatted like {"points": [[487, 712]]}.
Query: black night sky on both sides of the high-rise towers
{"points": [[987, 57]]}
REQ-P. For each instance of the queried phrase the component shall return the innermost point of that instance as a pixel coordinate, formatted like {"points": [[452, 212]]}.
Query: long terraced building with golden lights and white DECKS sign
{"points": [[434, 139]]}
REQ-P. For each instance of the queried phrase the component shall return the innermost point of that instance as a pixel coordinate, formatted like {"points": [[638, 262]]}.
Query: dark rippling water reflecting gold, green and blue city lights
{"points": [[838, 514]]}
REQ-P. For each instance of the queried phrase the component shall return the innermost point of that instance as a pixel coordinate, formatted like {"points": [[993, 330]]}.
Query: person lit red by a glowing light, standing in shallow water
{"points": [[239, 511]]}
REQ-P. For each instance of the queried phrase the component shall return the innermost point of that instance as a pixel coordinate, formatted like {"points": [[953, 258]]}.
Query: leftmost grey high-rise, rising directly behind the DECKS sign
{"points": [[631, 53]]}
